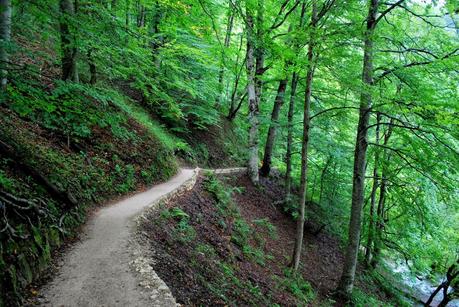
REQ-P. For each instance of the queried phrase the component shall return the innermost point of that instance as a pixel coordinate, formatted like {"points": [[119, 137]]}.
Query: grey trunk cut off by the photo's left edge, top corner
{"points": [[5, 37]]}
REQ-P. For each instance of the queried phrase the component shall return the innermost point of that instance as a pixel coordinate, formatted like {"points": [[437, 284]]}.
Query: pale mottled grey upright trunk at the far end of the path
{"points": [[253, 104]]}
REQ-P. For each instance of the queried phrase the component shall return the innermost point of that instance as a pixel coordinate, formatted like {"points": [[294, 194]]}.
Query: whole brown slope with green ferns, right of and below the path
{"points": [[215, 251]]}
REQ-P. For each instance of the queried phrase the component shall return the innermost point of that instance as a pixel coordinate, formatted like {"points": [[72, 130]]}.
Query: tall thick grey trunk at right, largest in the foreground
{"points": [[346, 283]]}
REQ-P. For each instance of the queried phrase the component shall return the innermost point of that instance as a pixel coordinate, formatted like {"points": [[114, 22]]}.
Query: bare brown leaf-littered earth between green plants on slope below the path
{"points": [[188, 273]]}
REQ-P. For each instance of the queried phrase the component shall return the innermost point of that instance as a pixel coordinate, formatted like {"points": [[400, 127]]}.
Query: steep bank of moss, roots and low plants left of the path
{"points": [[121, 151]]}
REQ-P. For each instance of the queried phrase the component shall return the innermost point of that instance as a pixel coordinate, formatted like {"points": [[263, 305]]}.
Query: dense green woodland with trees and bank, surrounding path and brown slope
{"points": [[352, 105]]}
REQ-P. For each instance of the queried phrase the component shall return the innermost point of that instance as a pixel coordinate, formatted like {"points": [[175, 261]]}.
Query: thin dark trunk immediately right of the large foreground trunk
{"points": [[374, 188]]}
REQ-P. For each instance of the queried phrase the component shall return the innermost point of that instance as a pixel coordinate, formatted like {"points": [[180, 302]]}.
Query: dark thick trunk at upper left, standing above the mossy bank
{"points": [[68, 41]]}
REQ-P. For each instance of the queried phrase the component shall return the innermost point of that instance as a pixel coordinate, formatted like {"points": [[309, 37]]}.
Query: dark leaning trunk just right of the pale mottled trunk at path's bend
{"points": [[270, 139]]}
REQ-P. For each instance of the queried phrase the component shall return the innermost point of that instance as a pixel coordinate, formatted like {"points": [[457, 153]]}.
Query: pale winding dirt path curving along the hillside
{"points": [[96, 271]]}
